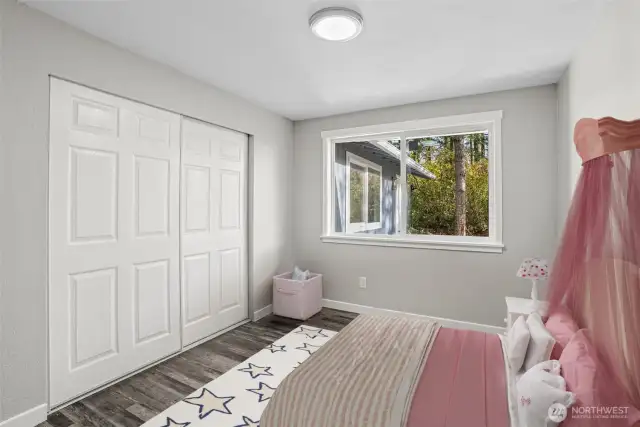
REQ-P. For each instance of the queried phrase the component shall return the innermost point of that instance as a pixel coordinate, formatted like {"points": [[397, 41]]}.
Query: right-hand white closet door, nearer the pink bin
{"points": [[214, 229]]}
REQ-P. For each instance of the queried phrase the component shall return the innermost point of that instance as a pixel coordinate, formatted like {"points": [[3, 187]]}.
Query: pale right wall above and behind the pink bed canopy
{"points": [[603, 79]]}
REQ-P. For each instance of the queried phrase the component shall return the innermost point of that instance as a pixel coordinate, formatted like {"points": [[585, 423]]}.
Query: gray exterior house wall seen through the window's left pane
{"points": [[389, 171]]}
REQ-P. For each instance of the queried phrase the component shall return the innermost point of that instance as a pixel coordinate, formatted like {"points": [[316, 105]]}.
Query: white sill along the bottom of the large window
{"points": [[416, 243]]}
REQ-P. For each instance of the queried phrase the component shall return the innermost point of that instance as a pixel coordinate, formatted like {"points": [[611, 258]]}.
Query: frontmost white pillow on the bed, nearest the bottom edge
{"points": [[538, 389]]}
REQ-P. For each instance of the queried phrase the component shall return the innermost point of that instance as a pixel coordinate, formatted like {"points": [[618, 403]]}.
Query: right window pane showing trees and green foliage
{"points": [[448, 185]]}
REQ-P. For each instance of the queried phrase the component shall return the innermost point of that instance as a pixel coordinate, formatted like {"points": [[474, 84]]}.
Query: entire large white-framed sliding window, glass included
{"points": [[432, 183]]}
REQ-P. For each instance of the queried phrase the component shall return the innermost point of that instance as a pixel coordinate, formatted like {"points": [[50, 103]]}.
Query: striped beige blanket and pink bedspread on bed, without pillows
{"points": [[399, 372]]}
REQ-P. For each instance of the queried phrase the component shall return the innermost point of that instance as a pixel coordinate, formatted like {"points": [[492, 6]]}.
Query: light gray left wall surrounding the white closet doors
{"points": [[34, 46]]}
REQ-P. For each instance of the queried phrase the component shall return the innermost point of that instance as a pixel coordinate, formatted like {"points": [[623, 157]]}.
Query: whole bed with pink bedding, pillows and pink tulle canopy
{"points": [[393, 372]]}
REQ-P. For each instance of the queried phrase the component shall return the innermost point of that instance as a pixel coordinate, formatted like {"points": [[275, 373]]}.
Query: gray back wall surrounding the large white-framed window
{"points": [[458, 285]]}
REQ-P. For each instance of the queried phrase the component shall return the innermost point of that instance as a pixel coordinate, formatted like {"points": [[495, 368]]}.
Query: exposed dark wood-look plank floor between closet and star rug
{"points": [[137, 399]]}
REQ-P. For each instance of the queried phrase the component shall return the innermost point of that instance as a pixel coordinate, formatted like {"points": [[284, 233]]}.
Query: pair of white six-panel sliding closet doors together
{"points": [[116, 272]]}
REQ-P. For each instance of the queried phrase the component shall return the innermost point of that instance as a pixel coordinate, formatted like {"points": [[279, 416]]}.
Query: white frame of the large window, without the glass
{"points": [[490, 122]]}
